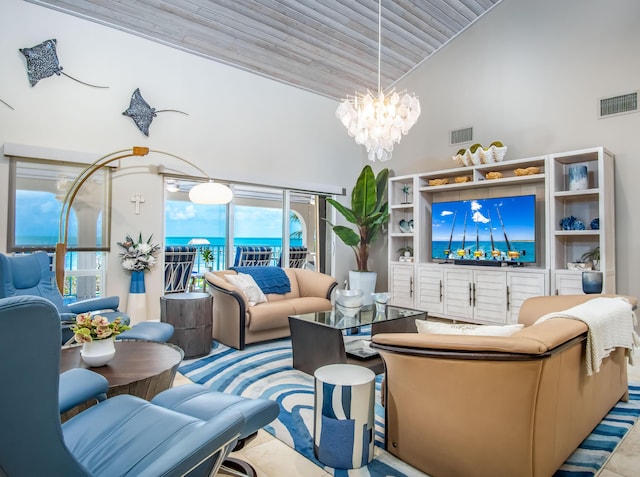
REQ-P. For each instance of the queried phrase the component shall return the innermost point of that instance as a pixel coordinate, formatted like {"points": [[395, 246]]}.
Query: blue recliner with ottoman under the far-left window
{"points": [[31, 274]]}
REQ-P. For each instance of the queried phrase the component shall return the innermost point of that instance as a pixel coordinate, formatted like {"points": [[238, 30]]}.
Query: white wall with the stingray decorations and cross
{"points": [[240, 126]]}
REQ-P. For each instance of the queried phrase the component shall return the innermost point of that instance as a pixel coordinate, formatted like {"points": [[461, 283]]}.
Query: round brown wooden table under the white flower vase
{"points": [[140, 368]]}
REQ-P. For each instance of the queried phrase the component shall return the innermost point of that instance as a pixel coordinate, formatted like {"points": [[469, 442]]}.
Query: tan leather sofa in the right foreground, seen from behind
{"points": [[473, 406]]}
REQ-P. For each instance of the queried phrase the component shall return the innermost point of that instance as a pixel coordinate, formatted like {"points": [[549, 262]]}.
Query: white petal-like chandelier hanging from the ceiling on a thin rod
{"points": [[379, 121]]}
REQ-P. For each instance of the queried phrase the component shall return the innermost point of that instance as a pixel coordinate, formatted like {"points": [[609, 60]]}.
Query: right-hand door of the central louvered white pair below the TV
{"points": [[490, 296]]}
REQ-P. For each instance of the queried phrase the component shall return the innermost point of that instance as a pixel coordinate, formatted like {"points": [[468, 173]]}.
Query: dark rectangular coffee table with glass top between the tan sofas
{"points": [[330, 337]]}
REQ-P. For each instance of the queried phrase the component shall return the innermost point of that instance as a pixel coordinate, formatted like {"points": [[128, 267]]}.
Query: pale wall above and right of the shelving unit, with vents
{"points": [[530, 74]]}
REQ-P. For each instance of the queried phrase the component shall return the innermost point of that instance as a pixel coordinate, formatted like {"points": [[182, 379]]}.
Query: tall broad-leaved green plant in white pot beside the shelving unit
{"points": [[369, 213]]}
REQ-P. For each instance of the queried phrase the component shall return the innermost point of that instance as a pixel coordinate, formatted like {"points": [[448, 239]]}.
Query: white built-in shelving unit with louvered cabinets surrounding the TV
{"points": [[494, 294]]}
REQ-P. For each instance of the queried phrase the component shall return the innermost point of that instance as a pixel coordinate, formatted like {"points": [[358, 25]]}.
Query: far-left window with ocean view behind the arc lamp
{"points": [[37, 189]]}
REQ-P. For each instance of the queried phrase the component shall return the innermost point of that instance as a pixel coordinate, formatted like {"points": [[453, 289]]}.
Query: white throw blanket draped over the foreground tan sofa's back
{"points": [[610, 322]]}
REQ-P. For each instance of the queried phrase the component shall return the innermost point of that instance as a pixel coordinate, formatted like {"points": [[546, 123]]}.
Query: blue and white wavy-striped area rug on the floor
{"points": [[265, 370]]}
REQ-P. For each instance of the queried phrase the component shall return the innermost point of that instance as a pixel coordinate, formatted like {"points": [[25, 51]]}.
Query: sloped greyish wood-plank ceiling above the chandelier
{"points": [[329, 47]]}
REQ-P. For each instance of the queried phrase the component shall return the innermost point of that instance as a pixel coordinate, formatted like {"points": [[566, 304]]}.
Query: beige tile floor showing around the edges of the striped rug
{"points": [[272, 458]]}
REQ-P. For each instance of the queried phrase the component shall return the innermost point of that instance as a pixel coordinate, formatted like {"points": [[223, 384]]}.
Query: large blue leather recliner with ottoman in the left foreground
{"points": [[187, 430]]}
